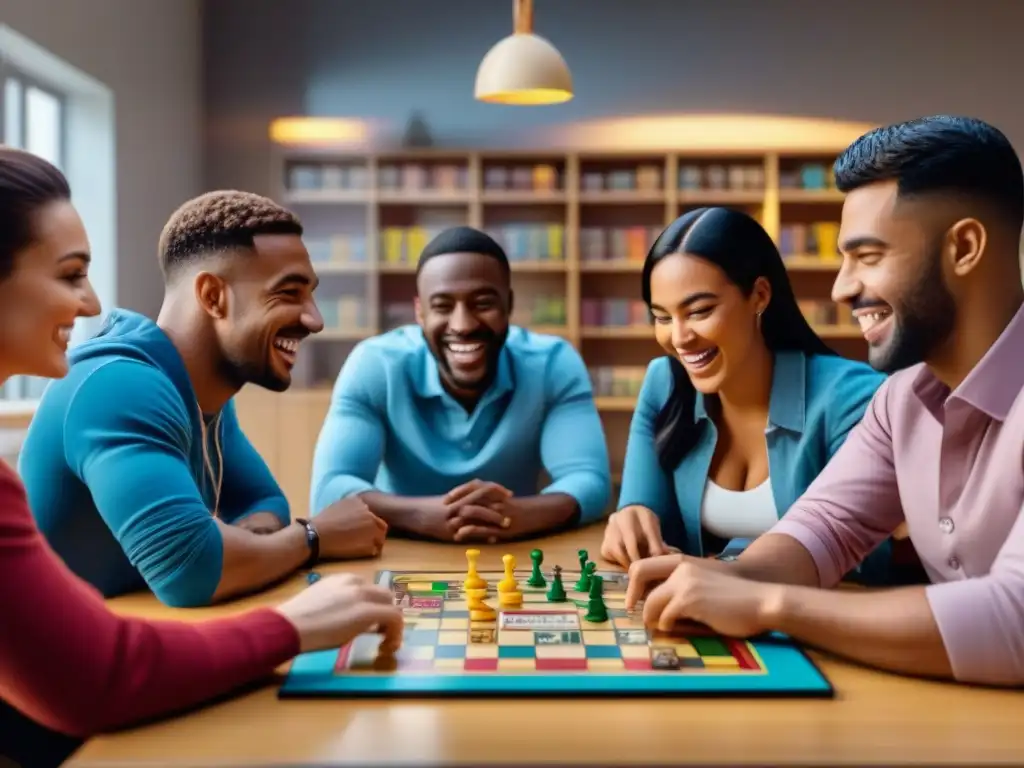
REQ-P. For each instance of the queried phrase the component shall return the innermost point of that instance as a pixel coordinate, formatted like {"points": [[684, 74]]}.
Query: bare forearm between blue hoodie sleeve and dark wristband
{"points": [[253, 561]]}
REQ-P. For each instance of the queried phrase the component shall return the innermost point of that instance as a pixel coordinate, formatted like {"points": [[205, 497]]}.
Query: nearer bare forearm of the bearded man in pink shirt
{"points": [[892, 630]]}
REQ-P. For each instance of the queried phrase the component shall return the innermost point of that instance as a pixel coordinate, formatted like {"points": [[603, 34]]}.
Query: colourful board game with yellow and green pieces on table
{"points": [[551, 633]]}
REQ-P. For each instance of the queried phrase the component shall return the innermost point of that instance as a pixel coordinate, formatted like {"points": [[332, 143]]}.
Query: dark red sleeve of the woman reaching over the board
{"points": [[74, 666]]}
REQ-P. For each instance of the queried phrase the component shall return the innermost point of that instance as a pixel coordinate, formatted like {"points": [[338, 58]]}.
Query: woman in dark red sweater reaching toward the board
{"points": [[66, 661]]}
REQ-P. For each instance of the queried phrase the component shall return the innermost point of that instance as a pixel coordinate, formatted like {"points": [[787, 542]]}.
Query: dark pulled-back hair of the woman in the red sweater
{"points": [[27, 184]]}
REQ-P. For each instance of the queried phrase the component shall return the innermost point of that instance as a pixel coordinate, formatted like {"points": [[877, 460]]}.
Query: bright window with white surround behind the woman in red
{"points": [[56, 111]]}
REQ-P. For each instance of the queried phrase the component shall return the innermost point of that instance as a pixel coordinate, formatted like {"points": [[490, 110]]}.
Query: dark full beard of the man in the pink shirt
{"points": [[922, 322]]}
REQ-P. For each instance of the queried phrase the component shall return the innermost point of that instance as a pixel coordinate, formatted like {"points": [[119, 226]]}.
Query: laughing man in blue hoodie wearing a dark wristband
{"points": [[136, 465]]}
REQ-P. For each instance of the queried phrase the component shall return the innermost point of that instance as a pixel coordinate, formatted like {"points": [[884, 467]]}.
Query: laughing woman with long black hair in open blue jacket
{"points": [[747, 409]]}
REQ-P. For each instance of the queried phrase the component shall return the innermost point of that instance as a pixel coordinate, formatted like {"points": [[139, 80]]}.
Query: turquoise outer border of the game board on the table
{"points": [[307, 669]]}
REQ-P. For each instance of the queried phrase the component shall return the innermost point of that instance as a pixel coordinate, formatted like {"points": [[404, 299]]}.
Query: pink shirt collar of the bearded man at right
{"points": [[993, 386]]}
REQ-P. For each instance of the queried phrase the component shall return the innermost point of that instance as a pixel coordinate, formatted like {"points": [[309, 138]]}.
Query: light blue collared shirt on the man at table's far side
{"points": [[394, 429]]}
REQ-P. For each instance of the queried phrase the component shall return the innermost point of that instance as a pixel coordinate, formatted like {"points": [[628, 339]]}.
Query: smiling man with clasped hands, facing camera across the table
{"points": [[444, 429]]}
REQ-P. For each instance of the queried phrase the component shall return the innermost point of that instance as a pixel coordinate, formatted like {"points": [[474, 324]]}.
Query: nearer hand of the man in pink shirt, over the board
{"points": [[697, 592]]}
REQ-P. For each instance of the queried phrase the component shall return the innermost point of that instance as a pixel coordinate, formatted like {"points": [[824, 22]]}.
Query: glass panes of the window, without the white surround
{"points": [[33, 120]]}
